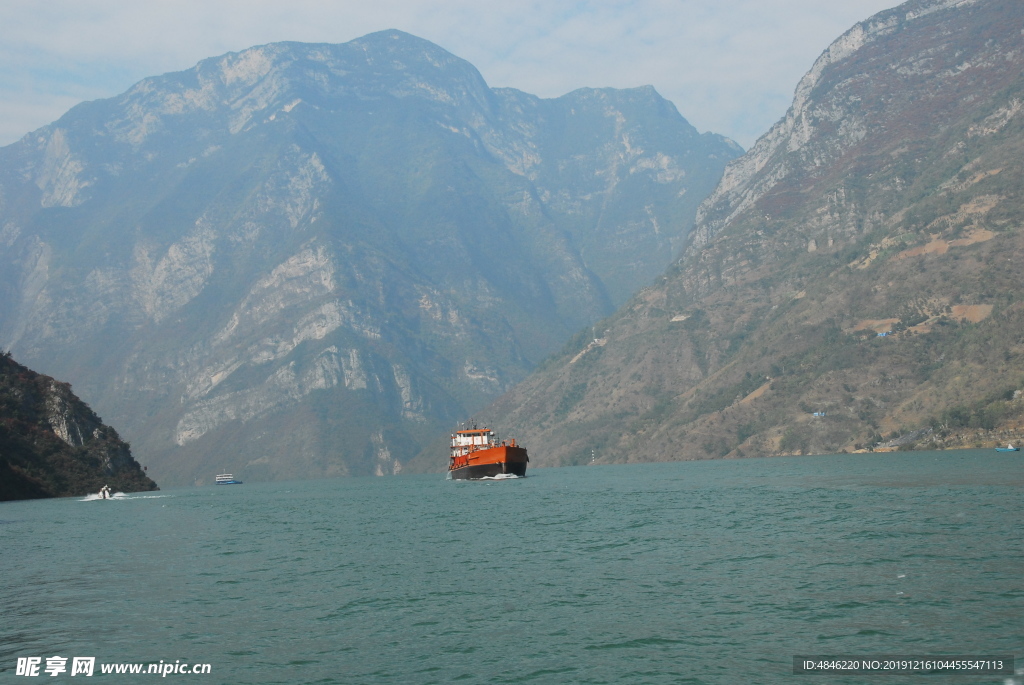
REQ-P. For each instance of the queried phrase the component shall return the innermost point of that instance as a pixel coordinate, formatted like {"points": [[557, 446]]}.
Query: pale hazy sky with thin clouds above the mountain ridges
{"points": [[730, 66]]}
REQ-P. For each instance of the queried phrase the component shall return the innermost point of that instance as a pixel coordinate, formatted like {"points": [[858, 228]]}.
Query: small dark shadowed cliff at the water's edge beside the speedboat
{"points": [[53, 445]]}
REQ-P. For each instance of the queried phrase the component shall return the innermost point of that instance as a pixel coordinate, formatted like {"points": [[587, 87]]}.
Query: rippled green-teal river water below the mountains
{"points": [[687, 573]]}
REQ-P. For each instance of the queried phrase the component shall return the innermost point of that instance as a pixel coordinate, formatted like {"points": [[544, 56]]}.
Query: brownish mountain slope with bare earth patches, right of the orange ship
{"points": [[855, 282]]}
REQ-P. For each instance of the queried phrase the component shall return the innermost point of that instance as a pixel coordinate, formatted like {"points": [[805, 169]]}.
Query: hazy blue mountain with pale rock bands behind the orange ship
{"points": [[303, 261]]}
